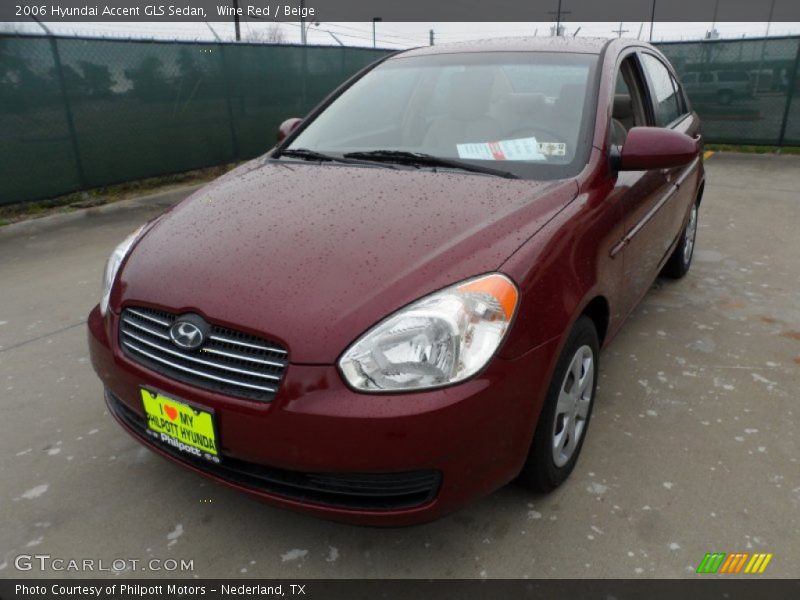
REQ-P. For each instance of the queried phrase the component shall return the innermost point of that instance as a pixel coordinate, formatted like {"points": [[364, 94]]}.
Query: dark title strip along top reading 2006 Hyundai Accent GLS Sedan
{"points": [[402, 10]]}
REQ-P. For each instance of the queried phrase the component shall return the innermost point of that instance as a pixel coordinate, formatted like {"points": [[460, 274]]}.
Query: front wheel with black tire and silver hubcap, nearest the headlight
{"points": [[554, 452]]}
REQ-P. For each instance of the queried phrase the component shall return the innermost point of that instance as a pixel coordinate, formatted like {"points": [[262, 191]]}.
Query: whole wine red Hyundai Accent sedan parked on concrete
{"points": [[400, 307]]}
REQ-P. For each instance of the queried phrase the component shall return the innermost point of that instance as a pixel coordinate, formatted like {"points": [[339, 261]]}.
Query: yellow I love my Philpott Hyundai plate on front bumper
{"points": [[189, 429]]}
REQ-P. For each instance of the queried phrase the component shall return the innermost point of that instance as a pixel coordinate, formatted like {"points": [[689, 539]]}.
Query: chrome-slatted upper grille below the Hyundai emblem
{"points": [[230, 362]]}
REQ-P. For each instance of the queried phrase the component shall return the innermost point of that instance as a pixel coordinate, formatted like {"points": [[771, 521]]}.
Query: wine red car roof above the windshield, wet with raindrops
{"points": [[582, 45]]}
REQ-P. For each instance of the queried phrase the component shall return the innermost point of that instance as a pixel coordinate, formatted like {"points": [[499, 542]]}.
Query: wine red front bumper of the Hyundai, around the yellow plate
{"points": [[430, 451]]}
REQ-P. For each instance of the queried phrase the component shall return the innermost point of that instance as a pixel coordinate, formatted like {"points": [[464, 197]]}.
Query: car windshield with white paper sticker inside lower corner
{"points": [[524, 112]]}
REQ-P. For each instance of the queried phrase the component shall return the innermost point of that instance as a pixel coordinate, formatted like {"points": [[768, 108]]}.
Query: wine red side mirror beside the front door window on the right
{"points": [[656, 148]]}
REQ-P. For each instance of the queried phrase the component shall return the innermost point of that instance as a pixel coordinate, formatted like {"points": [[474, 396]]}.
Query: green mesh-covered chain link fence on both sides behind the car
{"points": [[79, 113]]}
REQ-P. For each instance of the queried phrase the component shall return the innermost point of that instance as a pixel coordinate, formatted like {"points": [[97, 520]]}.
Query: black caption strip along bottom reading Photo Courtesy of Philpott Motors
{"points": [[699, 587]]}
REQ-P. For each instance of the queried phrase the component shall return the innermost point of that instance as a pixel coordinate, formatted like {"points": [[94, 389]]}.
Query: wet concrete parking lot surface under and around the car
{"points": [[692, 446]]}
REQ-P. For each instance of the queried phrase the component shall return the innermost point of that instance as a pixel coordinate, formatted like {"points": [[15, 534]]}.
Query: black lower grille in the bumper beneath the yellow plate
{"points": [[357, 491]]}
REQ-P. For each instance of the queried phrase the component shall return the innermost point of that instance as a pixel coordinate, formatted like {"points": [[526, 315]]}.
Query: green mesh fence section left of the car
{"points": [[81, 113]]}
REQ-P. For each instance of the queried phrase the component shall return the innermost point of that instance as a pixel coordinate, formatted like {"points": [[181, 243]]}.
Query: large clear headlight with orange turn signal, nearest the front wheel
{"points": [[441, 339]]}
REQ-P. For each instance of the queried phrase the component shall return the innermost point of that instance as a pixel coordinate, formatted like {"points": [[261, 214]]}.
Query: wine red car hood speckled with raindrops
{"points": [[313, 255]]}
